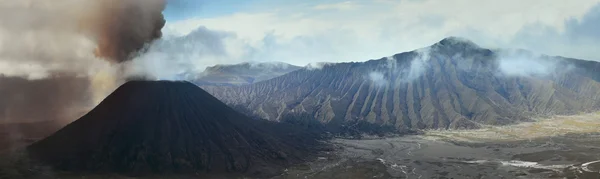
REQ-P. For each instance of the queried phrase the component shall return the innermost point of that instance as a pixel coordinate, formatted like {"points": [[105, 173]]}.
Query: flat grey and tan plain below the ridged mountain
{"points": [[564, 152]]}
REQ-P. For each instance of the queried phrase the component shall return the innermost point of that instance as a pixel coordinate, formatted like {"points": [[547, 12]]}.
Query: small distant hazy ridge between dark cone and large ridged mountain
{"points": [[243, 73]]}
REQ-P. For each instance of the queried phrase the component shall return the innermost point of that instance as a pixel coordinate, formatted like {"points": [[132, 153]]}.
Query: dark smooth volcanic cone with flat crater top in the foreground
{"points": [[171, 127]]}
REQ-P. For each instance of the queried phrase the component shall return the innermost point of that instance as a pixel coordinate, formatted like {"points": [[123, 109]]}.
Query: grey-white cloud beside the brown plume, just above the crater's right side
{"points": [[177, 57]]}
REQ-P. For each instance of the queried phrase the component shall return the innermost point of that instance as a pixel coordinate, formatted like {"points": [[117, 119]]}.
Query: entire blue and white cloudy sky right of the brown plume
{"points": [[307, 31]]}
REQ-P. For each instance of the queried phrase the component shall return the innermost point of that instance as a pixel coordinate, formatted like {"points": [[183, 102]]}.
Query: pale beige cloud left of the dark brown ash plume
{"points": [[38, 38]]}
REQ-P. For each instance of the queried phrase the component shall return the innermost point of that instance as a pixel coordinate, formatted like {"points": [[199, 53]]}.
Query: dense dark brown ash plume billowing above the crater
{"points": [[122, 27]]}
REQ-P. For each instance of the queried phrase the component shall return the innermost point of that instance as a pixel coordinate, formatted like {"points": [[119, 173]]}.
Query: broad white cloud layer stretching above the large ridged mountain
{"points": [[373, 29]]}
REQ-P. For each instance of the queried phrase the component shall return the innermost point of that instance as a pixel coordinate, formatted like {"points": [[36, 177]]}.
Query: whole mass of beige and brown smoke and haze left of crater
{"points": [[58, 56]]}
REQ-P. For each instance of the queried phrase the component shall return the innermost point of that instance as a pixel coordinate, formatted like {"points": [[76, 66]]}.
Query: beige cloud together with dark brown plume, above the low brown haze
{"points": [[39, 37]]}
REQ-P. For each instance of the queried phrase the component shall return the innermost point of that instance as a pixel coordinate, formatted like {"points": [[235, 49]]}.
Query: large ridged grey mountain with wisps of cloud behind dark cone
{"points": [[460, 85]]}
